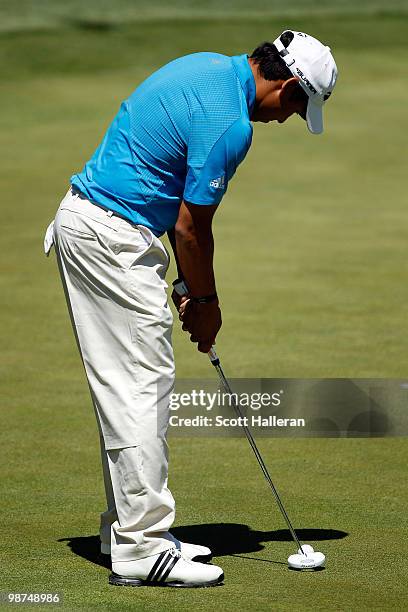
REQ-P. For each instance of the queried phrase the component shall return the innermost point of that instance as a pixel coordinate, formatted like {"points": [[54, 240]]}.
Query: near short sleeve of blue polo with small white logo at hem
{"points": [[207, 182]]}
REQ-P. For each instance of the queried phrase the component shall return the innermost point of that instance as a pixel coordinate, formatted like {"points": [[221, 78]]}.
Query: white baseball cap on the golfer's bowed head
{"points": [[313, 64]]}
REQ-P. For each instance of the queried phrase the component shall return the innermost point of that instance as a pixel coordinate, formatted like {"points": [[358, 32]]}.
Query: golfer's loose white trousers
{"points": [[113, 276]]}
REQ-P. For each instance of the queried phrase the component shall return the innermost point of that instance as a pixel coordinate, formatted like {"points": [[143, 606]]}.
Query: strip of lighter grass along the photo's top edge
{"points": [[34, 14]]}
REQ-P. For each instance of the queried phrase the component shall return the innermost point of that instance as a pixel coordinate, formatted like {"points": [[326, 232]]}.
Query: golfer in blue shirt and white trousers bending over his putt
{"points": [[164, 165]]}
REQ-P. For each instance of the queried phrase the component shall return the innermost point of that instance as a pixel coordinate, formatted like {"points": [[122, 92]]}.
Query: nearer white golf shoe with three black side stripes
{"points": [[167, 569]]}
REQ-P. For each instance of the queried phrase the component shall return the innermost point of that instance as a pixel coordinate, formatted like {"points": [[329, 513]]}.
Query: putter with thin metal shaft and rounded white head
{"points": [[306, 557]]}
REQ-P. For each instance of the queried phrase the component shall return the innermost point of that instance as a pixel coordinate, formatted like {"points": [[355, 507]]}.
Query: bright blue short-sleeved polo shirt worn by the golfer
{"points": [[180, 135]]}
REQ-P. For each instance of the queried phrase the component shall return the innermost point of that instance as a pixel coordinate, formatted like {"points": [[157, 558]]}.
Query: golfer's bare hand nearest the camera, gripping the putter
{"points": [[202, 321]]}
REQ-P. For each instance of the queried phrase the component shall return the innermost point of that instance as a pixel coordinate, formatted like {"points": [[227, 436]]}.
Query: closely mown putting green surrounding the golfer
{"points": [[311, 269]]}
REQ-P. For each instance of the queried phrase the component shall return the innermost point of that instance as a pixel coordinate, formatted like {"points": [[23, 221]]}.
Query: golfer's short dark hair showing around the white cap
{"points": [[272, 67]]}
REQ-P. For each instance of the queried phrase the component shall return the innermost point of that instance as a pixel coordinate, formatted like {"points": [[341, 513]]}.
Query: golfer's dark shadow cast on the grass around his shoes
{"points": [[222, 538]]}
